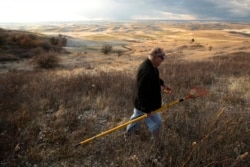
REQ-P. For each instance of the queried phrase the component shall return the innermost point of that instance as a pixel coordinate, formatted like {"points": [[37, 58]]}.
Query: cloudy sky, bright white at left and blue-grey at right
{"points": [[88, 10]]}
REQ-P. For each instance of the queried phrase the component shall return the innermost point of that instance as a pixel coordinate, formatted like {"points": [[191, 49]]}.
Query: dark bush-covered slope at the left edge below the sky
{"points": [[20, 44]]}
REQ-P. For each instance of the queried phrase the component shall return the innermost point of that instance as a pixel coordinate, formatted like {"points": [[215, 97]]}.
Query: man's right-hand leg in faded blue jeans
{"points": [[154, 122]]}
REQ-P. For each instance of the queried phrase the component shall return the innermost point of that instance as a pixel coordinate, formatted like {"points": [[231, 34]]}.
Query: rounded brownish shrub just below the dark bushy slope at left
{"points": [[47, 60]]}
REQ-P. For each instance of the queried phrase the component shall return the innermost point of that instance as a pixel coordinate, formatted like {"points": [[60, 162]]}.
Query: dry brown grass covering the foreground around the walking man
{"points": [[43, 115]]}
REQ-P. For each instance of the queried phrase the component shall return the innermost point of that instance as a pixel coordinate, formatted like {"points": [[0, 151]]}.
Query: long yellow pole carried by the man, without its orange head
{"points": [[164, 107]]}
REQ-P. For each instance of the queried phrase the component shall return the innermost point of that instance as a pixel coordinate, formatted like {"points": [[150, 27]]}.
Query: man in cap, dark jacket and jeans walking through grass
{"points": [[148, 93]]}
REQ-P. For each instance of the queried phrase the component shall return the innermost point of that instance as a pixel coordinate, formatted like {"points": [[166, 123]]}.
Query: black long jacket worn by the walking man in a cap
{"points": [[148, 88]]}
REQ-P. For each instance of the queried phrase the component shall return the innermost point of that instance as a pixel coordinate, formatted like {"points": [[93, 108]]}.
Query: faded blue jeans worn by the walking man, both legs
{"points": [[153, 122]]}
